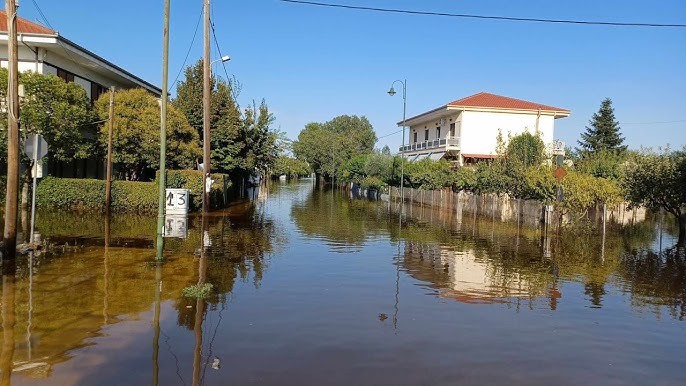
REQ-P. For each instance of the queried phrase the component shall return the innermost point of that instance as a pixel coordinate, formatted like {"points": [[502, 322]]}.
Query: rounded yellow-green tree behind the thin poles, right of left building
{"points": [[136, 135]]}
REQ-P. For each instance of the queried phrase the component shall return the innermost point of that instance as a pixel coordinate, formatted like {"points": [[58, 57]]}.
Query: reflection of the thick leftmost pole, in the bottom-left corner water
{"points": [[9, 270]]}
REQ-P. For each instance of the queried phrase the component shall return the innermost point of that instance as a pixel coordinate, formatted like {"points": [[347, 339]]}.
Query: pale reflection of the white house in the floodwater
{"points": [[466, 277]]}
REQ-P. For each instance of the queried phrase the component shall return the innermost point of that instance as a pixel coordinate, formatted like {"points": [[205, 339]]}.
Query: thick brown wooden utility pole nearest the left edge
{"points": [[12, 194]]}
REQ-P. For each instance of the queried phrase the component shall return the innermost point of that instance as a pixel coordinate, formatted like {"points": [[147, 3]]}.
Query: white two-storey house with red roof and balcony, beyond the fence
{"points": [[466, 130]]}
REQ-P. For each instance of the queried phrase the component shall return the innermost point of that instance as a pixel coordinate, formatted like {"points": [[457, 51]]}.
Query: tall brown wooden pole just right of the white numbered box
{"points": [[206, 94]]}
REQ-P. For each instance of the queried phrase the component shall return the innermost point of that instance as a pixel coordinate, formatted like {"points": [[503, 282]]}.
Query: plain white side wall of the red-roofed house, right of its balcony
{"points": [[480, 129]]}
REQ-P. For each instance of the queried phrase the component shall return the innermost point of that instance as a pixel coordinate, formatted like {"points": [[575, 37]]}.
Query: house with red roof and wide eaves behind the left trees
{"points": [[45, 51]]}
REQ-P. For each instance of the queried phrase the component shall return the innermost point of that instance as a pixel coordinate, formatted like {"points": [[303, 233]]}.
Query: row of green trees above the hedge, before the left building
{"points": [[242, 140]]}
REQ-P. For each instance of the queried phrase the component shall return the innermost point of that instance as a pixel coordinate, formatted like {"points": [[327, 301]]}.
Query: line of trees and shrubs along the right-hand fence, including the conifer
{"points": [[600, 171]]}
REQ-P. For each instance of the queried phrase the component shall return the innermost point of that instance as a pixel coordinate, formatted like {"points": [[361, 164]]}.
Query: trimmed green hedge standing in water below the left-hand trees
{"points": [[127, 196]]}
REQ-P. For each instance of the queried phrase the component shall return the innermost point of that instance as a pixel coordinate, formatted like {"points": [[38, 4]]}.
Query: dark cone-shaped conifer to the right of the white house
{"points": [[603, 132]]}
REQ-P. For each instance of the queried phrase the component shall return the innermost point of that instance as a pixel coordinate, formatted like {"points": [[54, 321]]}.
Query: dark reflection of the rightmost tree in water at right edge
{"points": [[655, 280]]}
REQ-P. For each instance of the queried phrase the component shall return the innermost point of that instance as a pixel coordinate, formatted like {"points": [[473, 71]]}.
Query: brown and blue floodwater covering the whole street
{"points": [[310, 287]]}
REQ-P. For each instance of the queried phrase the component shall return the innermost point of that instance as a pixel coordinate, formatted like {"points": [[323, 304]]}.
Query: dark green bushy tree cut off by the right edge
{"points": [[658, 181]]}
